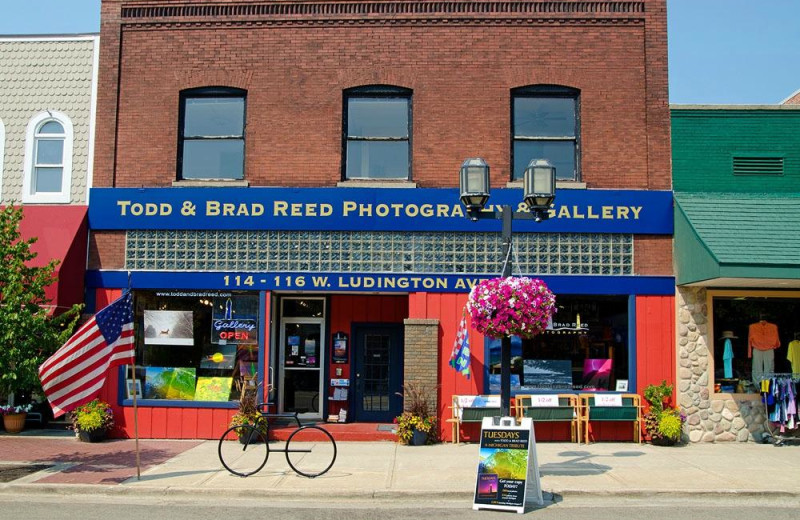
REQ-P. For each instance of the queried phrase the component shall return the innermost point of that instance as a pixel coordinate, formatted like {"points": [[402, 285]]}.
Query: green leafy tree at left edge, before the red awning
{"points": [[28, 336]]}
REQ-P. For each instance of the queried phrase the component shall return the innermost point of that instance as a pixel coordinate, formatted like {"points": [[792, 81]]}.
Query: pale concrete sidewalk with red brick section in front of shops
{"points": [[389, 470]]}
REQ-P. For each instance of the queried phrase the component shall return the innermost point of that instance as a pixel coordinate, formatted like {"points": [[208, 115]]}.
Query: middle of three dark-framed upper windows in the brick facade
{"points": [[377, 130]]}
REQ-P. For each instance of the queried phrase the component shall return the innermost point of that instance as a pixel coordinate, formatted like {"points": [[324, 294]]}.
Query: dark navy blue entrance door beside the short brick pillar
{"points": [[378, 353]]}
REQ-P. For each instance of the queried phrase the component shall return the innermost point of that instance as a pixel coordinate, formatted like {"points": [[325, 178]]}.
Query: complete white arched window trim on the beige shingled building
{"points": [[62, 197]]}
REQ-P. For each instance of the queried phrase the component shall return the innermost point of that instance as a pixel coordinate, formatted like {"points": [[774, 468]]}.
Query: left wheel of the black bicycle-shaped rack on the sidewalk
{"points": [[243, 450]]}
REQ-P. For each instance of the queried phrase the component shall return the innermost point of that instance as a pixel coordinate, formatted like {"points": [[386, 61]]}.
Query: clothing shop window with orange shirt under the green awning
{"points": [[755, 338]]}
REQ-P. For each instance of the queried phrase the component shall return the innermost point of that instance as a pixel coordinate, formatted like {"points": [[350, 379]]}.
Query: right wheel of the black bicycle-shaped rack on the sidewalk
{"points": [[310, 451]]}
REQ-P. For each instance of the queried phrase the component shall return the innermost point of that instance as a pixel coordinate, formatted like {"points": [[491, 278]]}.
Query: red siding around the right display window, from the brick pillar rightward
{"points": [[655, 358]]}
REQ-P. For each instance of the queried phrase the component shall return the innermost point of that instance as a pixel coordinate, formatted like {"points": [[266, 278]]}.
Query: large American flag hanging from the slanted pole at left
{"points": [[75, 374]]}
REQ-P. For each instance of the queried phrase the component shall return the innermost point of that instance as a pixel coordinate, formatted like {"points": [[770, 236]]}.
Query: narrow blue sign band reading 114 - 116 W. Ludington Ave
{"points": [[353, 282]]}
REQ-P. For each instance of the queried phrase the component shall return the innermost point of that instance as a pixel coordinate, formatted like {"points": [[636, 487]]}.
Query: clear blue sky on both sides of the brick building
{"points": [[720, 51]]}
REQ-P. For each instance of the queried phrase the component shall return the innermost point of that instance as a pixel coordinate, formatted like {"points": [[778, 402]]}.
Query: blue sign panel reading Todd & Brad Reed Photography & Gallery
{"points": [[370, 209]]}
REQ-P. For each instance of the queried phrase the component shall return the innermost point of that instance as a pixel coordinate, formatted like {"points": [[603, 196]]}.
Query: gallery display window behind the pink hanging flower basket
{"points": [[585, 350]]}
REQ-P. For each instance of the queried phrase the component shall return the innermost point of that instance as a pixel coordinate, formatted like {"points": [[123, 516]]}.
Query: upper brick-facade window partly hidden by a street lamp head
{"points": [[546, 125]]}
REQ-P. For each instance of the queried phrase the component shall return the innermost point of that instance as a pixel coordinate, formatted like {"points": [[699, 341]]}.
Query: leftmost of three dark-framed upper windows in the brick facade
{"points": [[211, 137]]}
